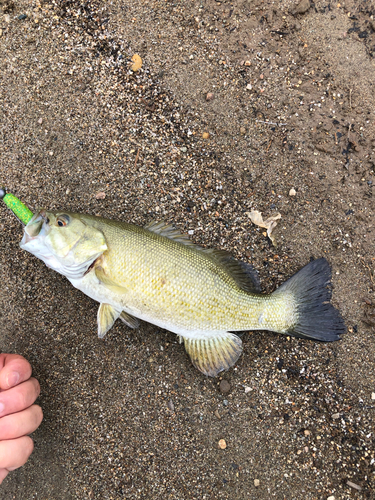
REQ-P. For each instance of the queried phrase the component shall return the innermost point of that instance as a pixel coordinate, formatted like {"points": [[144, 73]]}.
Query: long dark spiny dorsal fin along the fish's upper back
{"points": [[243, 274]]}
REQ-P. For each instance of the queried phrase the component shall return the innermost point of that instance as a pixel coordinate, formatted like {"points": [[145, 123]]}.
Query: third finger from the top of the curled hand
{"points": [[21, 423]]}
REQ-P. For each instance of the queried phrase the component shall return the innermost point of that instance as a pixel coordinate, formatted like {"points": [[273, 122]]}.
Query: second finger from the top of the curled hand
{"points": [[19, 398]]}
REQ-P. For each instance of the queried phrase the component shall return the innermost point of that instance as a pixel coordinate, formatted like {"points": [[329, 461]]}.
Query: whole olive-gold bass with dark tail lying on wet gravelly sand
{"points": [[156, 274]]}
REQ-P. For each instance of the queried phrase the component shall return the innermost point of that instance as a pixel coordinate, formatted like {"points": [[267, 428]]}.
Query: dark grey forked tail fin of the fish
{"points": [[316, 318]]}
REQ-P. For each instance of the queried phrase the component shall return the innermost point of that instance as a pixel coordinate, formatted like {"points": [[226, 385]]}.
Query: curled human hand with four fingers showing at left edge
{"points": [[18, 415]]}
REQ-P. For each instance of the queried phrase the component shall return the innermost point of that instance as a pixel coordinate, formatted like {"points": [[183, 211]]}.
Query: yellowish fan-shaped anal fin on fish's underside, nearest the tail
{"points": [[212, 356]]}
